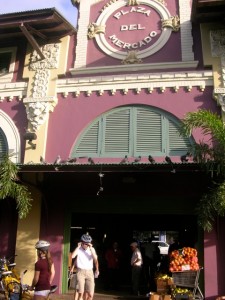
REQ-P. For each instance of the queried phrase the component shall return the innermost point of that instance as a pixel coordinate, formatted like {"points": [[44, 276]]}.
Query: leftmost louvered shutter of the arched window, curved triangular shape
{"points": [[88, 144]]}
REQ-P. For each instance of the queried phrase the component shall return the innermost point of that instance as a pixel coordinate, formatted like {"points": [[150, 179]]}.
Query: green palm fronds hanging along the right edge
{"points": [[212, 158]]}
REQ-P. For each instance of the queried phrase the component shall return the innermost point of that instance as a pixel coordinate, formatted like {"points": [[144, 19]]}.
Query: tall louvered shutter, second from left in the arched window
{"points": [[116, 130]]}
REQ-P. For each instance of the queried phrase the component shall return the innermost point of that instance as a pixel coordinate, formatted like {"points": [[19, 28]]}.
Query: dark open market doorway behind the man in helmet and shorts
{"points": [[124, 229]]}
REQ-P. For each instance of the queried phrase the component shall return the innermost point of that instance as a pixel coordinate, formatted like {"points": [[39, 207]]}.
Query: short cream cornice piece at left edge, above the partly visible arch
{"points": [[9, 91]]}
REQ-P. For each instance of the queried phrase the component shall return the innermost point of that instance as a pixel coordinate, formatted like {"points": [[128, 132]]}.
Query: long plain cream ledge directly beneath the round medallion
{"points": [[134, 67]]}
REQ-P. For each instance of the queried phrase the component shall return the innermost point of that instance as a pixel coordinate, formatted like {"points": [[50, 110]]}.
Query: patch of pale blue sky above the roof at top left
{"points": [[65, 7]]}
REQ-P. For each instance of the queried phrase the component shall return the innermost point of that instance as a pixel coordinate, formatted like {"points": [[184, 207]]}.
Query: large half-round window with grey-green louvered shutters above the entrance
{"points": [[132, 131]]}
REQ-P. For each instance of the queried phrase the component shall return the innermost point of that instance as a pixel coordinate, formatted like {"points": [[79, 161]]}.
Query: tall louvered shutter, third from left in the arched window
{"points": [[148, 132]]}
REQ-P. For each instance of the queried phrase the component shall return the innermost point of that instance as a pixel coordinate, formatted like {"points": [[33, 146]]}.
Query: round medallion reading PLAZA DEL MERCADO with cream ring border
{"points": [[142, 27]]}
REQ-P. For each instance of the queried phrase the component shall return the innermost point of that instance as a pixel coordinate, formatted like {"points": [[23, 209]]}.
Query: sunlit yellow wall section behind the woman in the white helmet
{"points": [[27, 235]]}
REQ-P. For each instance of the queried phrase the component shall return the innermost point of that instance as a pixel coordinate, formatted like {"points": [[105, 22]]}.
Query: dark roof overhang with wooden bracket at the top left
{"points": [[37, 26]]}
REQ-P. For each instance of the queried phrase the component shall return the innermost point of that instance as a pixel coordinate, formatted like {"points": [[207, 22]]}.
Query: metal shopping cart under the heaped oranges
{"points": [[188, 279]]}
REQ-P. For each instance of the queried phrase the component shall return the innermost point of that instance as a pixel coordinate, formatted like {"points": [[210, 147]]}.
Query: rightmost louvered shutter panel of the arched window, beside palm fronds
{"points": [[178, 144]]}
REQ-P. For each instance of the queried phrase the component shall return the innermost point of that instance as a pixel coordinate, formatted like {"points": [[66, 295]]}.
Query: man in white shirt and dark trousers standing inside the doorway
{"points": [[136, 264]]}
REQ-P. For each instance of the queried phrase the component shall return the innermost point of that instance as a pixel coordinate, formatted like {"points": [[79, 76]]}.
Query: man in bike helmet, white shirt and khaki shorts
{"points": [[86, 257]]}
